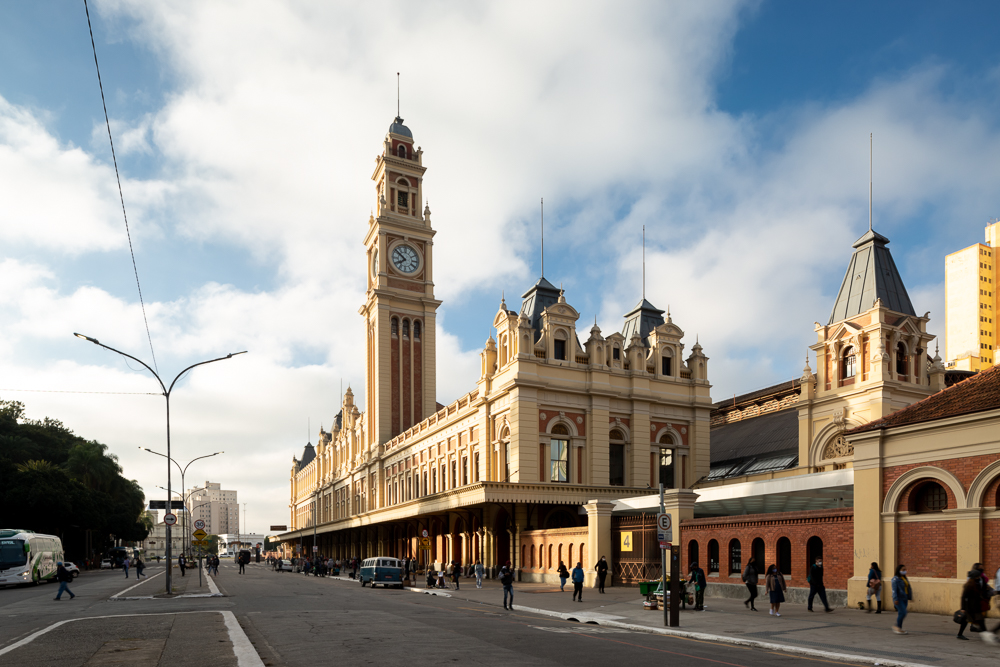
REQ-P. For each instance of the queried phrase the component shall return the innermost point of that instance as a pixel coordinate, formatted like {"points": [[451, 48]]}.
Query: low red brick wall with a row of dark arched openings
{"points": [[834, 527]]}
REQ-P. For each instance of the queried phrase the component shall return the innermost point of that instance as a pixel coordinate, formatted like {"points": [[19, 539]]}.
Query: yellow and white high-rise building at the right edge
{"points": [[971, 302]]}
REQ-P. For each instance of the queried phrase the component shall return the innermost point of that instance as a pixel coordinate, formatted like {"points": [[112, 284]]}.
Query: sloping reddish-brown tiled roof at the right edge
{"points": [[976, 394]]}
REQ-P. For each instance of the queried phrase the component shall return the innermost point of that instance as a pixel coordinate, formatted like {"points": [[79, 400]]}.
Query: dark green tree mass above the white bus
{"points": [[53, 481]]}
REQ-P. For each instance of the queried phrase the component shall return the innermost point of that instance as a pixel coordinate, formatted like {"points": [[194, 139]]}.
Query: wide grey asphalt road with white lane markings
{"points": [[294, 620]]}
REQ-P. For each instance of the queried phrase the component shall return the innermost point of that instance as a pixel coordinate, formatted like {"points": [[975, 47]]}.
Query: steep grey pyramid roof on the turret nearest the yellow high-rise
{"points": [[871, 275]]}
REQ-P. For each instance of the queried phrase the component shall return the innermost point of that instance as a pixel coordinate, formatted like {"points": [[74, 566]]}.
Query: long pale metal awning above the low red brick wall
{"points": [[822, 490]]}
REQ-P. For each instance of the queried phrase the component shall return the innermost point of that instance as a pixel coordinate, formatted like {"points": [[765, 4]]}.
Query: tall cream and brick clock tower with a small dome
{"points": [[400, 307]]}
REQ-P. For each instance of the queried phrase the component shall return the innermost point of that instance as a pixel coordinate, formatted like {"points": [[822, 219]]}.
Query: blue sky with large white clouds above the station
{"points": [[736, 132]]}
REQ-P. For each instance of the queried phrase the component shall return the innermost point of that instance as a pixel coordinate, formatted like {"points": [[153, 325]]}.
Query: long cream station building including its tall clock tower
{"points": [[548, 435]]}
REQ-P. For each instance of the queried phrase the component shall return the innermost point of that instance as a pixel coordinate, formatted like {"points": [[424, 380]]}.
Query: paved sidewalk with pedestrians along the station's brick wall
{"points": [[847, 632]]}
